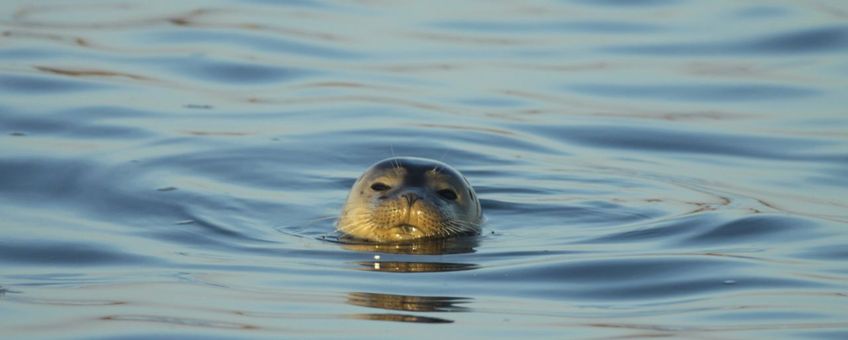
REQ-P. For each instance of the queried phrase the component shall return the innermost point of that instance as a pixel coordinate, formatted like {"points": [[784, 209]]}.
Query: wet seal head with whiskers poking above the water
{"points": [[404, 198]]}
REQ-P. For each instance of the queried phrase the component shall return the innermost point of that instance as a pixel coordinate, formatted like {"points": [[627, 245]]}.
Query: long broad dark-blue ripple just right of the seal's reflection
{"points": [[638, 278]]}
